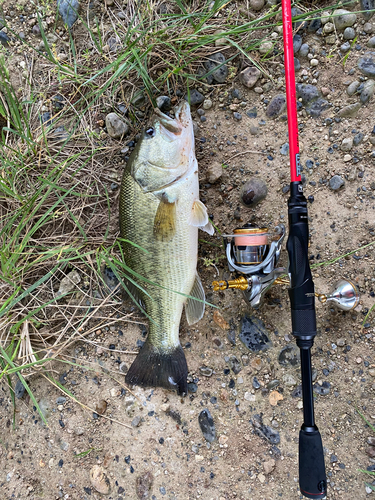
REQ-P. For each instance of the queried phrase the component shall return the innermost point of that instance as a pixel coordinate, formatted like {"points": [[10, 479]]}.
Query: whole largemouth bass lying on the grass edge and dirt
{"points": [[160, 213]]}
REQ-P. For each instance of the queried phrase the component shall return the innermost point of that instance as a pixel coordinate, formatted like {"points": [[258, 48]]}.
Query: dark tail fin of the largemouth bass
{"points": [[159, 368]]}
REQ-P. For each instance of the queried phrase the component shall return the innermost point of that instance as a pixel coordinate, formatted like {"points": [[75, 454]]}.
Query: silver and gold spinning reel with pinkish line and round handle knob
{"points": [[252, 254]]}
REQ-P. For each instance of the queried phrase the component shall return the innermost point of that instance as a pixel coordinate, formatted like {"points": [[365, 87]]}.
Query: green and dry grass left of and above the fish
{"points": [[58, 212]]}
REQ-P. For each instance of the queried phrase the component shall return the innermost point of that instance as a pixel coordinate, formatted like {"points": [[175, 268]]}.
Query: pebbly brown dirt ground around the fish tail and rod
{"points": [[154, 431]]}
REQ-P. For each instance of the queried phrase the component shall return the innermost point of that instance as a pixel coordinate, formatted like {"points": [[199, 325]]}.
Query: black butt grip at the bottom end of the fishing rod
{"points": [[312, 473]]}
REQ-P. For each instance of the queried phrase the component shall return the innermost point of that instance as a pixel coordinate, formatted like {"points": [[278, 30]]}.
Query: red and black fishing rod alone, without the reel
{"points": [[312, 474]]}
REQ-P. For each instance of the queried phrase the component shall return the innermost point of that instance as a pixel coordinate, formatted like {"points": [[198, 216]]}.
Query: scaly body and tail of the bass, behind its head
{"points": [[171, 266]]}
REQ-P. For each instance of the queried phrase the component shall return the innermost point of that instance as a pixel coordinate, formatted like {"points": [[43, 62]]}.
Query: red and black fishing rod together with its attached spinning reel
{"points": [[253, 253]]}
